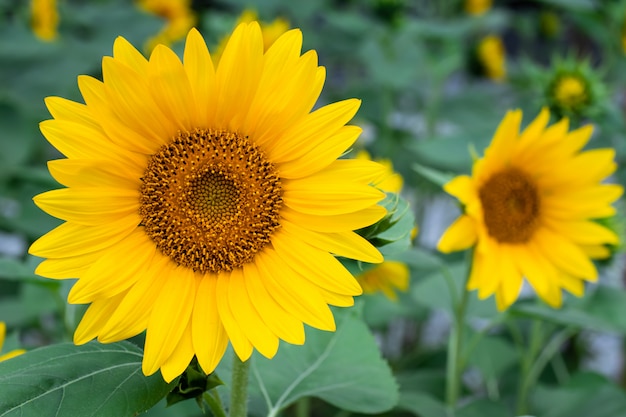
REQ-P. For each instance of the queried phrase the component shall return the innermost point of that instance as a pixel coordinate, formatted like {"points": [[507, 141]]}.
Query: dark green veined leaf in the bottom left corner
{"points": [[88, 380]]}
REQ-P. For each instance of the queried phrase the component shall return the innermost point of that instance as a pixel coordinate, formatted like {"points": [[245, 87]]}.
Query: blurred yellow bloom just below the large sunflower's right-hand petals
{"points": [[386, 278]]}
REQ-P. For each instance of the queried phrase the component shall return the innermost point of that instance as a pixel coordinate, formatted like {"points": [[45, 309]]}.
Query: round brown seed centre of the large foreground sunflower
{"points": [[210, 200]]}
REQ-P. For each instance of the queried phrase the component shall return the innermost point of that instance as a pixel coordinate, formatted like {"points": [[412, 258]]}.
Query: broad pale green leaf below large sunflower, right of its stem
{"points": [[343, 368]]}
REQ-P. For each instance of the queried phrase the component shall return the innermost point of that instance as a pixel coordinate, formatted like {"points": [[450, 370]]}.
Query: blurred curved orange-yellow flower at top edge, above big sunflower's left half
{"points": [[179, 17]]}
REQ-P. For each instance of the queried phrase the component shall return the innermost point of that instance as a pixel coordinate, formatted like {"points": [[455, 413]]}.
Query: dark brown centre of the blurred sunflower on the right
{"points": [[511, 206]]}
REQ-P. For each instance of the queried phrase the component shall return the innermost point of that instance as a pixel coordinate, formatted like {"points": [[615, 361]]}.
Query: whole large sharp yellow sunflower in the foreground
{"points": [[205, 205]]}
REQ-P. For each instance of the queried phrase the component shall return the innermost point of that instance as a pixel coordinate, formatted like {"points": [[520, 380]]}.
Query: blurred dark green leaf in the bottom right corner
{"points": [[584, 395]]}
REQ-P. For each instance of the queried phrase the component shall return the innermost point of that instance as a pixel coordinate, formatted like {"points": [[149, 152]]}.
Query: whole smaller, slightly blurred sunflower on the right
{"points": [[529, 210]]}
